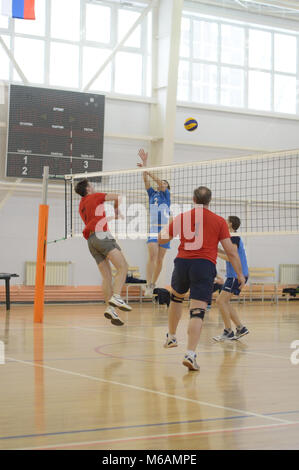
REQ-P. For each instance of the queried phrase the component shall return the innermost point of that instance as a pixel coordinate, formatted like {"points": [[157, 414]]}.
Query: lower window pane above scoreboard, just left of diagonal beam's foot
{"points": [[64, 65]]}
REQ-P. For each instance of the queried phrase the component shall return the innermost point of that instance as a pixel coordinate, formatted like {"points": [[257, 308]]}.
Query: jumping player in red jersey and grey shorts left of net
{"points": [[103, 246]]}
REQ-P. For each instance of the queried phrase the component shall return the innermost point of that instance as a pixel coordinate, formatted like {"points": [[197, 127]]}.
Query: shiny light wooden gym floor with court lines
{"points": [[77, 382]]}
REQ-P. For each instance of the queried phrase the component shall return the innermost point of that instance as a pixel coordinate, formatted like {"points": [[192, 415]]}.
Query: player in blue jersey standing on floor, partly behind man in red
{"points": [[231, 287]]}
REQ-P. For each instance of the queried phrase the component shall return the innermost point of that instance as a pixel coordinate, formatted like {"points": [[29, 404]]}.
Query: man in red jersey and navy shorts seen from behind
{"points": [[200, 231]]}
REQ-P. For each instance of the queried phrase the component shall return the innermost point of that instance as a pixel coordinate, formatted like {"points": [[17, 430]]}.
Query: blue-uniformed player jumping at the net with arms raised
{"points": [[159, 203]]}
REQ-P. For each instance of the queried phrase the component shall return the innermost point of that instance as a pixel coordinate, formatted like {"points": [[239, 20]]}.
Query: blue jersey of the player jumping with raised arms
{"points": [[159, 202]]}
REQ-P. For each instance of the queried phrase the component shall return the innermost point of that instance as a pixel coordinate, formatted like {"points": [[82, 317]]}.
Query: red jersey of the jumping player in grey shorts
{"points": [[93, 214]]}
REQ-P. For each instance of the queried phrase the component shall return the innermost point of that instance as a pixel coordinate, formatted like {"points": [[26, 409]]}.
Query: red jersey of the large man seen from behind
{"points": [[200, 231]]}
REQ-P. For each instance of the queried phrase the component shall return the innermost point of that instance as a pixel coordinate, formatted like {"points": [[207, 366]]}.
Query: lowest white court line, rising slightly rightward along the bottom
{"points": [[159, 436]]}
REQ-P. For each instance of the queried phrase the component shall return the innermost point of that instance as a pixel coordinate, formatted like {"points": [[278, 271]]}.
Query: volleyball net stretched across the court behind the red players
{"points": [[262, 190]]}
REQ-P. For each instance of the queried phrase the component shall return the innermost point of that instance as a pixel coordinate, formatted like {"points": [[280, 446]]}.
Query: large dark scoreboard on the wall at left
{"points": [[60, 129]]}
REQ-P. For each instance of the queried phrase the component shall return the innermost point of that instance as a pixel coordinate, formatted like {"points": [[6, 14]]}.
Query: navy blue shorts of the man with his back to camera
{"points": [[195, 274]]}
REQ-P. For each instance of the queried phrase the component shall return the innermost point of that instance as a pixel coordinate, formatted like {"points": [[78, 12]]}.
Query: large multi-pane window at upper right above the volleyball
{"points": [[237, 64]]}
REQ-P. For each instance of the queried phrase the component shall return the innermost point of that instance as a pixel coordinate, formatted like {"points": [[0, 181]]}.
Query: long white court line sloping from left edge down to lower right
{"points": [[148, 390]]}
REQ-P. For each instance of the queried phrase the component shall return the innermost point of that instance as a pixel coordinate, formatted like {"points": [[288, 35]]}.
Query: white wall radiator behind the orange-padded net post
{"points": [[57, 273]]}
